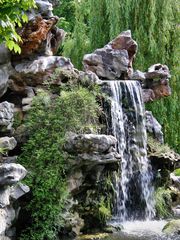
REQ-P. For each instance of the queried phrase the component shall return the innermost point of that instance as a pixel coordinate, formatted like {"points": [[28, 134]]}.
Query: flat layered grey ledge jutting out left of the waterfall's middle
{"points": [[92, 149]]}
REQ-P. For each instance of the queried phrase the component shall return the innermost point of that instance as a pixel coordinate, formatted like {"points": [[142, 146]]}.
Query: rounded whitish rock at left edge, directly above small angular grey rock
{"points": [[11, 173]]}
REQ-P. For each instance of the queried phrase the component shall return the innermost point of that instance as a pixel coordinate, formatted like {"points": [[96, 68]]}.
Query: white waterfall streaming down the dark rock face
{"points": [[134, 191]]}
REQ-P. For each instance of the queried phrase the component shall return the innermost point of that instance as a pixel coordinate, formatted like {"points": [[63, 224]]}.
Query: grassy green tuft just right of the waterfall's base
{"points": [[163, 202]]}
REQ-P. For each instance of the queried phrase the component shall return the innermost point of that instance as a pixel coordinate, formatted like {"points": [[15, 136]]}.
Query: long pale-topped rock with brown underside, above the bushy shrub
{"points": [[37, 71]]}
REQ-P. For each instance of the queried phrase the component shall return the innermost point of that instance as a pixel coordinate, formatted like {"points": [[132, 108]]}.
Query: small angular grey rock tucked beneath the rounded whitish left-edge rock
{"points": [[18, 191]]}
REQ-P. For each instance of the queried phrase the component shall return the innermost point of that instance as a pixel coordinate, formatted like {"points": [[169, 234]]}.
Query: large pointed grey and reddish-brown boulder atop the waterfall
{"points": [[114, 61]]}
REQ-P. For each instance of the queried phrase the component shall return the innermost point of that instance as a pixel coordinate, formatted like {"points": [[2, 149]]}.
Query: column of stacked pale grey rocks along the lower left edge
{"points": [[10, 189]]}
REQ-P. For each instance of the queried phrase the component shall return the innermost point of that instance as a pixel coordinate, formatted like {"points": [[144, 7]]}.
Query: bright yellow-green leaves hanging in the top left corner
{"points": [[12, 15]]}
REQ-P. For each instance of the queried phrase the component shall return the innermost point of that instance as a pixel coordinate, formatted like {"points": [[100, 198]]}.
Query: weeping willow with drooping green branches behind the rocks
{"points": [[154, 25]]}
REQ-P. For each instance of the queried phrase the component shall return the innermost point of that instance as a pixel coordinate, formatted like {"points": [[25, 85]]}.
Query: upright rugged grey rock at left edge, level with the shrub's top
{"points": [[6, 114]]}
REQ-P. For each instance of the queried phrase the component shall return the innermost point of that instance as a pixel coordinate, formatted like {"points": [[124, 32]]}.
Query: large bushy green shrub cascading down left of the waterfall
{"points": [[44, 157]]}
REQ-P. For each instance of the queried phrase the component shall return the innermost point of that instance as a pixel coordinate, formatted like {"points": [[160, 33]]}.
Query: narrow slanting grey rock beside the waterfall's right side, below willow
{"points": [[153, 127]]}
